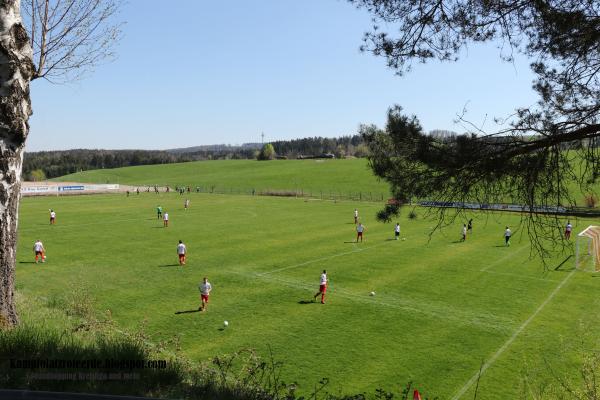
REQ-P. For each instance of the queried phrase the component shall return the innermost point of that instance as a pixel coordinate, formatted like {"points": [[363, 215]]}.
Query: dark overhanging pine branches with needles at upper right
{"points": [[544, 153]]}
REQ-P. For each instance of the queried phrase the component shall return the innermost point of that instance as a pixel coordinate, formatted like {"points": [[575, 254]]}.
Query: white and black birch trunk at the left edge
{"points": [[16, 69]]}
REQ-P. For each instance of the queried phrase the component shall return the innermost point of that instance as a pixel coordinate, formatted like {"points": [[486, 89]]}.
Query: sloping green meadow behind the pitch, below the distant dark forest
{"points": [[341, 176]]}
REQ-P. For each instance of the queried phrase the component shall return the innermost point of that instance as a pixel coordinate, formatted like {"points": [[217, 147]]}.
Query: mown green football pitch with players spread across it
{"points": [[441, 307]]}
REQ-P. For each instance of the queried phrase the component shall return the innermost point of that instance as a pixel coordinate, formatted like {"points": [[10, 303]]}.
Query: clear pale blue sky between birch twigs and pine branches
{"points": [[196, 72]]}
